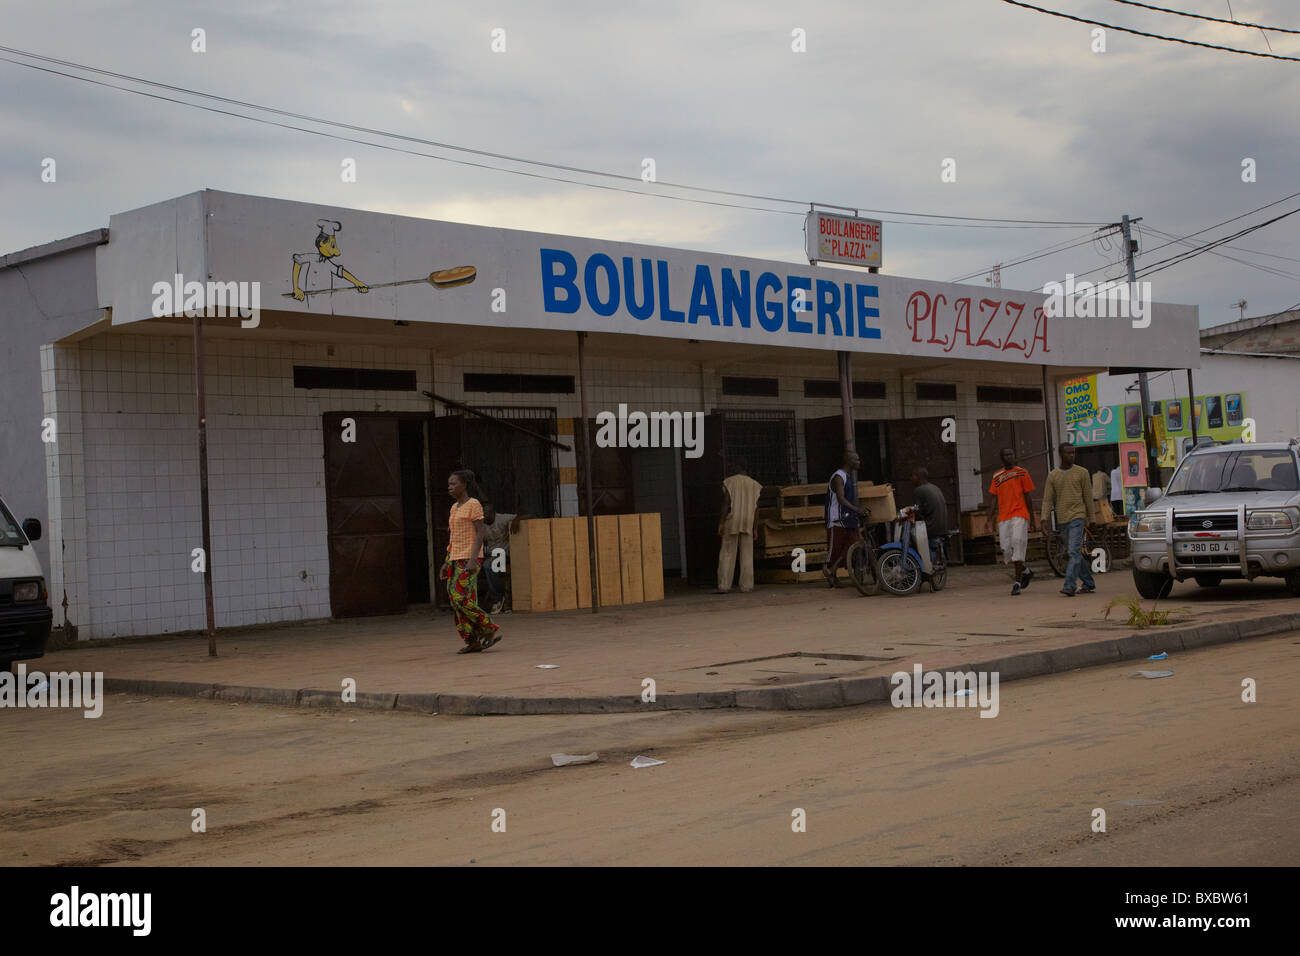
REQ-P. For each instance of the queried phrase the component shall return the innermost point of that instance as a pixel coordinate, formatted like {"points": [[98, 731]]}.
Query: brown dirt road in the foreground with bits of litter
{"points": [[1186, 772]]}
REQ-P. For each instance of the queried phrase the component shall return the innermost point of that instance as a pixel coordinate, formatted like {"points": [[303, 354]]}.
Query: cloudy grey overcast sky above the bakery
{"points": [[1041, 127]]}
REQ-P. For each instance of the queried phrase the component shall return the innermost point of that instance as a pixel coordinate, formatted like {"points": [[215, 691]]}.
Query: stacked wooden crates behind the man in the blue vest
{"points": [[799, 521]]}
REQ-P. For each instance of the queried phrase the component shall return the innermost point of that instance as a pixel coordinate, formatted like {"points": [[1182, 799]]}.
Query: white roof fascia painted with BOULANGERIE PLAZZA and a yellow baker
{"points": [[328, 261]]}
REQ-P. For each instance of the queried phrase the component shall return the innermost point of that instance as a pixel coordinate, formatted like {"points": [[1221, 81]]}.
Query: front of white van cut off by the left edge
{"points": [[25, 615]]}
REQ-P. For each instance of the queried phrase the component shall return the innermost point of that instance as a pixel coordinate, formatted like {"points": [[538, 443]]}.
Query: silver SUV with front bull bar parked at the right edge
{"points": [[1229, 512]]}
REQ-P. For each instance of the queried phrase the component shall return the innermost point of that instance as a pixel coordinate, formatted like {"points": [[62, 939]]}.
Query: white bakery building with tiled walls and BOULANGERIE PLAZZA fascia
{"points": [[444, 345]]}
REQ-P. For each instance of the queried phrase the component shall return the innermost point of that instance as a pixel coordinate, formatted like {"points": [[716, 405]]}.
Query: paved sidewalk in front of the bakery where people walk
{"points": [[703, 650]]}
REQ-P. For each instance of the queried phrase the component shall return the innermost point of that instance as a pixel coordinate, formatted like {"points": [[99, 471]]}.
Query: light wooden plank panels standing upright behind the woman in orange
{"points": [[551, 568]]}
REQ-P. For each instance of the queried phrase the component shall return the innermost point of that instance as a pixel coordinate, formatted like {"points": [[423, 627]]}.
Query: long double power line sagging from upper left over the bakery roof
{"points": [[981, 222]]}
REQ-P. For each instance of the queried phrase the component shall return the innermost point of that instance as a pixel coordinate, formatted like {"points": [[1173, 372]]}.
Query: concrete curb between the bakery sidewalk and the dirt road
{"points": [[817, 695]]}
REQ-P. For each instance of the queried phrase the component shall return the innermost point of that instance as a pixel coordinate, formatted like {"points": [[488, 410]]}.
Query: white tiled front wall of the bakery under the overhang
{"points": [[124, 477]]}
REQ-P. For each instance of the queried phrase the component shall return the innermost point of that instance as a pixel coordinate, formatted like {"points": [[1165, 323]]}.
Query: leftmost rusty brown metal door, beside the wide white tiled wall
{"points": [[363, 505]]}
